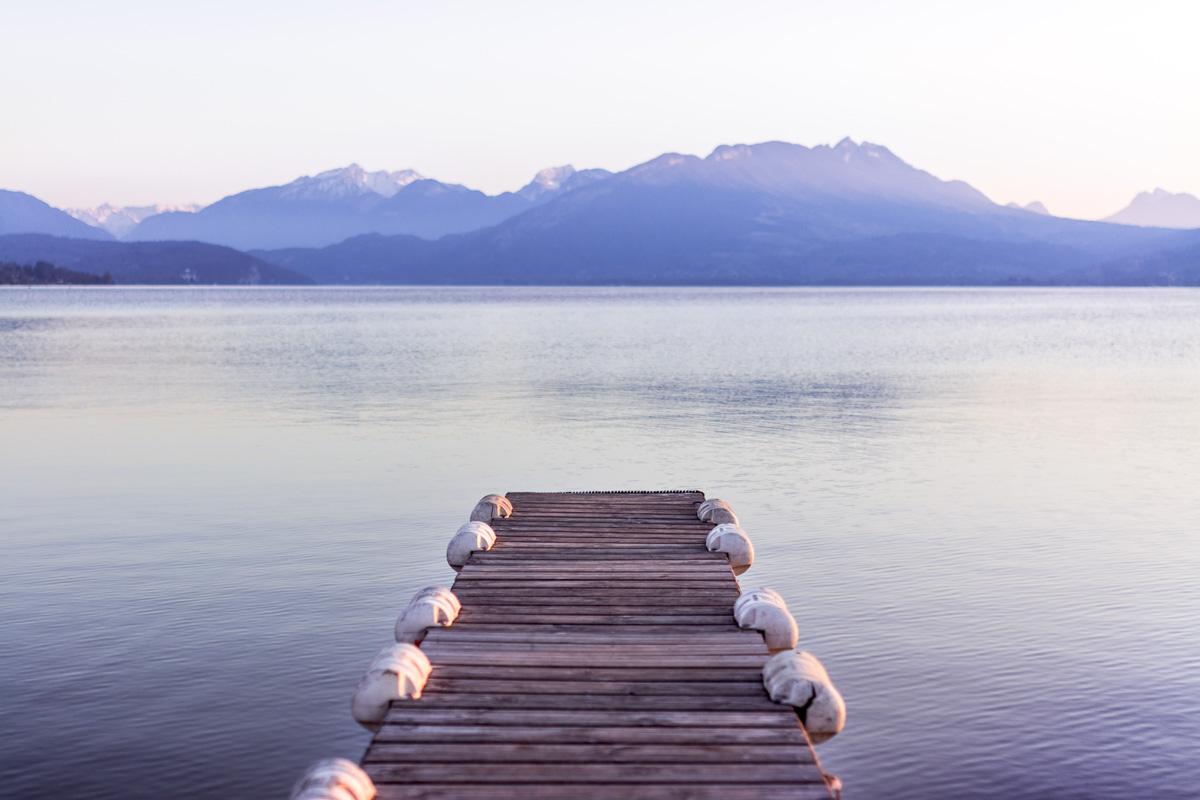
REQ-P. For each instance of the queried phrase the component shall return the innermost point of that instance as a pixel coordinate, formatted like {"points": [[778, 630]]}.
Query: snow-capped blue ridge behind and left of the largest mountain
{"points": [[338, 204]]}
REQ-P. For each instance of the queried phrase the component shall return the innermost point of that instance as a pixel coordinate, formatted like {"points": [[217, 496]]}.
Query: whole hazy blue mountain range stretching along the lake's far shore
{"points": [[765, 214]]}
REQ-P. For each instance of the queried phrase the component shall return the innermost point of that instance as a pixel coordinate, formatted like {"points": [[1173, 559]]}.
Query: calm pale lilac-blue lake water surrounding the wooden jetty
{"points": [[983, 508]]}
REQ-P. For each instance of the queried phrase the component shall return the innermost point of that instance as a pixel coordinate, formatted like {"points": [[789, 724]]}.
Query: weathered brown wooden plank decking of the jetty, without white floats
{"points": [[596, 657]]}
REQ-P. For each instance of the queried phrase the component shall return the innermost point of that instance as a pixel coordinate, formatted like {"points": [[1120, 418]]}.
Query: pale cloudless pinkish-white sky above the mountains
{"points": [[1078, 105]]}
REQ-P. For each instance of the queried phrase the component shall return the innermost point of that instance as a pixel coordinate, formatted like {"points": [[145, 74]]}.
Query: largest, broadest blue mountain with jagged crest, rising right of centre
{"points": [[765, 214]]}
